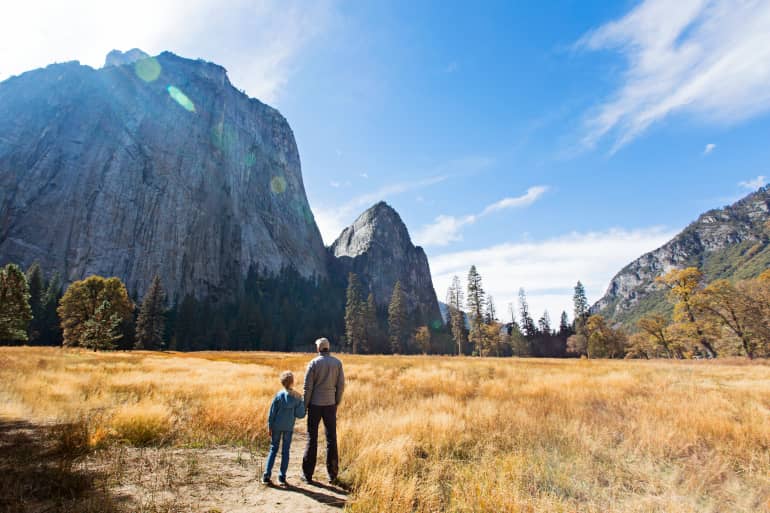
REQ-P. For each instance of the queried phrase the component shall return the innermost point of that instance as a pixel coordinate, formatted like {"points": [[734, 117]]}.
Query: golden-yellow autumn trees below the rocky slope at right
{"points": [[721, 318]]}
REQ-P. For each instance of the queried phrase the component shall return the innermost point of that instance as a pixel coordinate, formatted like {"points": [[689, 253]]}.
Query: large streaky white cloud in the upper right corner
{"points": [[703, 56]]}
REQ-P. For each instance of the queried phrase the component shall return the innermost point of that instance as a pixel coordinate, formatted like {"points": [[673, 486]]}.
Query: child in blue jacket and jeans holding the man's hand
{"points": [[287, 405]]}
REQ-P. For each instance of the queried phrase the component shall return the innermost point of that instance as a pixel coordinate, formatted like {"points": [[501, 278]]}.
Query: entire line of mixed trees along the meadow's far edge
{"points": [[284, 312]]}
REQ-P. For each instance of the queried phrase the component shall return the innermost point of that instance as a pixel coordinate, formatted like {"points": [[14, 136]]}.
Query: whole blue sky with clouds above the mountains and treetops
{"points": [[544, 142]]}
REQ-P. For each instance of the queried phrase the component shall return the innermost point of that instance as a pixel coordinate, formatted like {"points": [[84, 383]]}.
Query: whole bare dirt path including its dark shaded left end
{"points": [[38, 473]]}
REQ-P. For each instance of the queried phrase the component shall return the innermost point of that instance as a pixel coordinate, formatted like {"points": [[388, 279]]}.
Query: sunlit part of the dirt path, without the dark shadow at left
{"points": [[218, 480]]}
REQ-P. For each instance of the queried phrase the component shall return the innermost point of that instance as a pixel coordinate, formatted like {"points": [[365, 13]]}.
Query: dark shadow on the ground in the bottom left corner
{"points": [[41, 470]]}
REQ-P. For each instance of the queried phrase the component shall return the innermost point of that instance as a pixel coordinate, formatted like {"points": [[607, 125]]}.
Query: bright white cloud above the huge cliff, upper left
{"points": [[259, 42]]}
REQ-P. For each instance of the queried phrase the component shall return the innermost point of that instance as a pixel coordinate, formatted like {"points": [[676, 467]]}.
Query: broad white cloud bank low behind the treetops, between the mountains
{"points": [[548, 269]]}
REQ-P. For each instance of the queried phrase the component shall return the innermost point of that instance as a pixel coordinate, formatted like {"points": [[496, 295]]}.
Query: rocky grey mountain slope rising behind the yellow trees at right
{"points": [[731, 242]]}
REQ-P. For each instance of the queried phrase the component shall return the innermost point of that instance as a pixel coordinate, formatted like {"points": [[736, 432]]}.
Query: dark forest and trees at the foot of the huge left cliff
{"points": [[282, 312]]}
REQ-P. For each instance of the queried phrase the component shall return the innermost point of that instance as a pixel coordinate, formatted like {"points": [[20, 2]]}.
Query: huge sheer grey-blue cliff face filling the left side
{"points": [[150, 166]]}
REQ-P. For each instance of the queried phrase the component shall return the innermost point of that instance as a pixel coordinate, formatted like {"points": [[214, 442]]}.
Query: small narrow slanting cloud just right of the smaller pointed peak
{"points": [[447, 229]]}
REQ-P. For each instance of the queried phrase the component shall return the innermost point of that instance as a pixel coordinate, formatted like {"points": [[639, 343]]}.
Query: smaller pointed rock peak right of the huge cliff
{"points": [[377, 247]]}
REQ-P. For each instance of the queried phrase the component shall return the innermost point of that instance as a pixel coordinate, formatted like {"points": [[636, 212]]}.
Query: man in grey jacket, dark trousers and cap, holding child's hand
{"points": [[324, 384]]}
